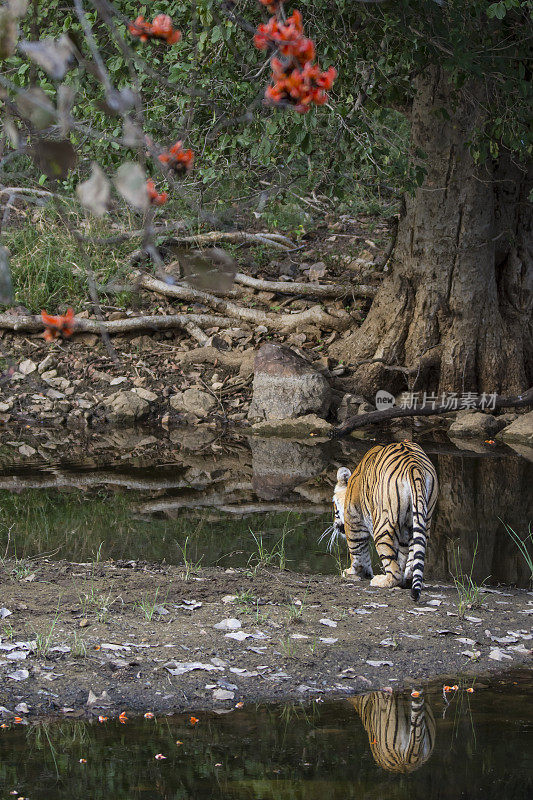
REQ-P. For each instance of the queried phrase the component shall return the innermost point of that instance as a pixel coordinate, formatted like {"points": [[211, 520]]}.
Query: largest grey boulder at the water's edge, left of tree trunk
{"points": [[286, 386]]}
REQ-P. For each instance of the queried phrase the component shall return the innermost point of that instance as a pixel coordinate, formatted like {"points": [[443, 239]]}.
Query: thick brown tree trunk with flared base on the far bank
{"points": [[457, 306]]}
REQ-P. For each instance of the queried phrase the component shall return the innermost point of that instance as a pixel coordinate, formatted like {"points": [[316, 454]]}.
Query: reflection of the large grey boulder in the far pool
{"points": [[279, 465]]}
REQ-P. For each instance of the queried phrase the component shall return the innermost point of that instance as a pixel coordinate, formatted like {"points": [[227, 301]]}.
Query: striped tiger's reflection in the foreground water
{"points": [[401, 730]]}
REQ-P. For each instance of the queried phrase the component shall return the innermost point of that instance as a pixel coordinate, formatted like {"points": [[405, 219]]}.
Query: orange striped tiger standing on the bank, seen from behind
{"points": [[390, 495]]}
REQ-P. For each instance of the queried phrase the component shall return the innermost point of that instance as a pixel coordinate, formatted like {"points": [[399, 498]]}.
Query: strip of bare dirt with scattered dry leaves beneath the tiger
{"points": [[102, 638]]}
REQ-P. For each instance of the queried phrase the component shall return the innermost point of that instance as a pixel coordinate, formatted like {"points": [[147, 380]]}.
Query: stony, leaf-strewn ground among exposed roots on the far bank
{"points": [[69, 381]]}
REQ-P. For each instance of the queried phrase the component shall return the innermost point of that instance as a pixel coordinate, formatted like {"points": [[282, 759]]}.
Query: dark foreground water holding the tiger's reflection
{"points": [[477, 746]]}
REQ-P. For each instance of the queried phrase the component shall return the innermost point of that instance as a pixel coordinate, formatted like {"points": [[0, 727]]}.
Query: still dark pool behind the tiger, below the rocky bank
{"points": [[148, 498]]}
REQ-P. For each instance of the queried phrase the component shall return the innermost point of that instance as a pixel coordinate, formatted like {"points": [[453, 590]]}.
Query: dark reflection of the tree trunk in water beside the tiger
{"points": [[474, 492]]}
